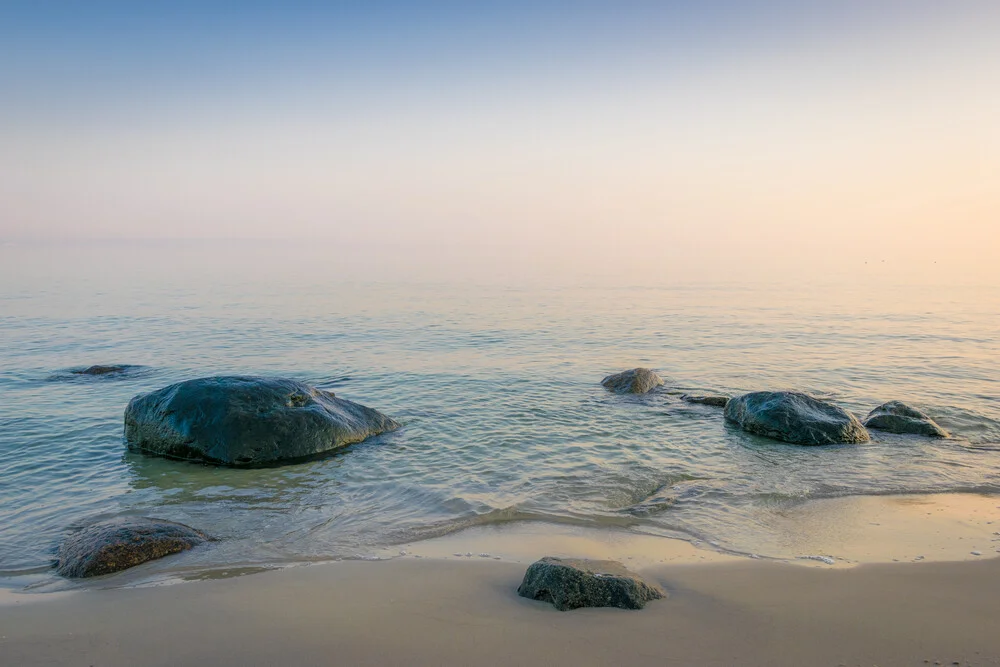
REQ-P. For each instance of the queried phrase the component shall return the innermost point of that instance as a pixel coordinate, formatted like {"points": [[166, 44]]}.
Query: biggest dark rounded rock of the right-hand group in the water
{"points": [[794, 417]]}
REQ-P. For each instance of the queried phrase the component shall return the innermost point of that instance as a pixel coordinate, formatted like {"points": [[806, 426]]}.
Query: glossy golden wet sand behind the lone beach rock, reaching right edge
{"points": [[852, 530]]}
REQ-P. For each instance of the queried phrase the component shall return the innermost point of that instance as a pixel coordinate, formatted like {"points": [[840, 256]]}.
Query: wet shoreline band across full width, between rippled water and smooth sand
{"points": [[827, 533]]}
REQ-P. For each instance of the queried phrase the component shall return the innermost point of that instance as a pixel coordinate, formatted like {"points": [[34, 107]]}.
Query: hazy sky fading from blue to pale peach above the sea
{"points": [[651, 140]]}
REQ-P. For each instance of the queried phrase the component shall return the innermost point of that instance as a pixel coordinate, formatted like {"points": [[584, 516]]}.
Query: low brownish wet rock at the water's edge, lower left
{"points": [[118, 544]]}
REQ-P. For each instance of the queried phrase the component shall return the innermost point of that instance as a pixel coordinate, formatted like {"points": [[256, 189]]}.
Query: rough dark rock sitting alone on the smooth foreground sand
{"points": [[571, 583]]}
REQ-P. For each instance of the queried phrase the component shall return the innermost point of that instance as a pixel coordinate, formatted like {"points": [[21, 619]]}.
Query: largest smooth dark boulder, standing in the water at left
{"points": [[246, 421]]}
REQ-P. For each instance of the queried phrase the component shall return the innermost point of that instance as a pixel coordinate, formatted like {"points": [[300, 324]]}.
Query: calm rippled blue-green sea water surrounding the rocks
{"points": [[498, 389]]}
